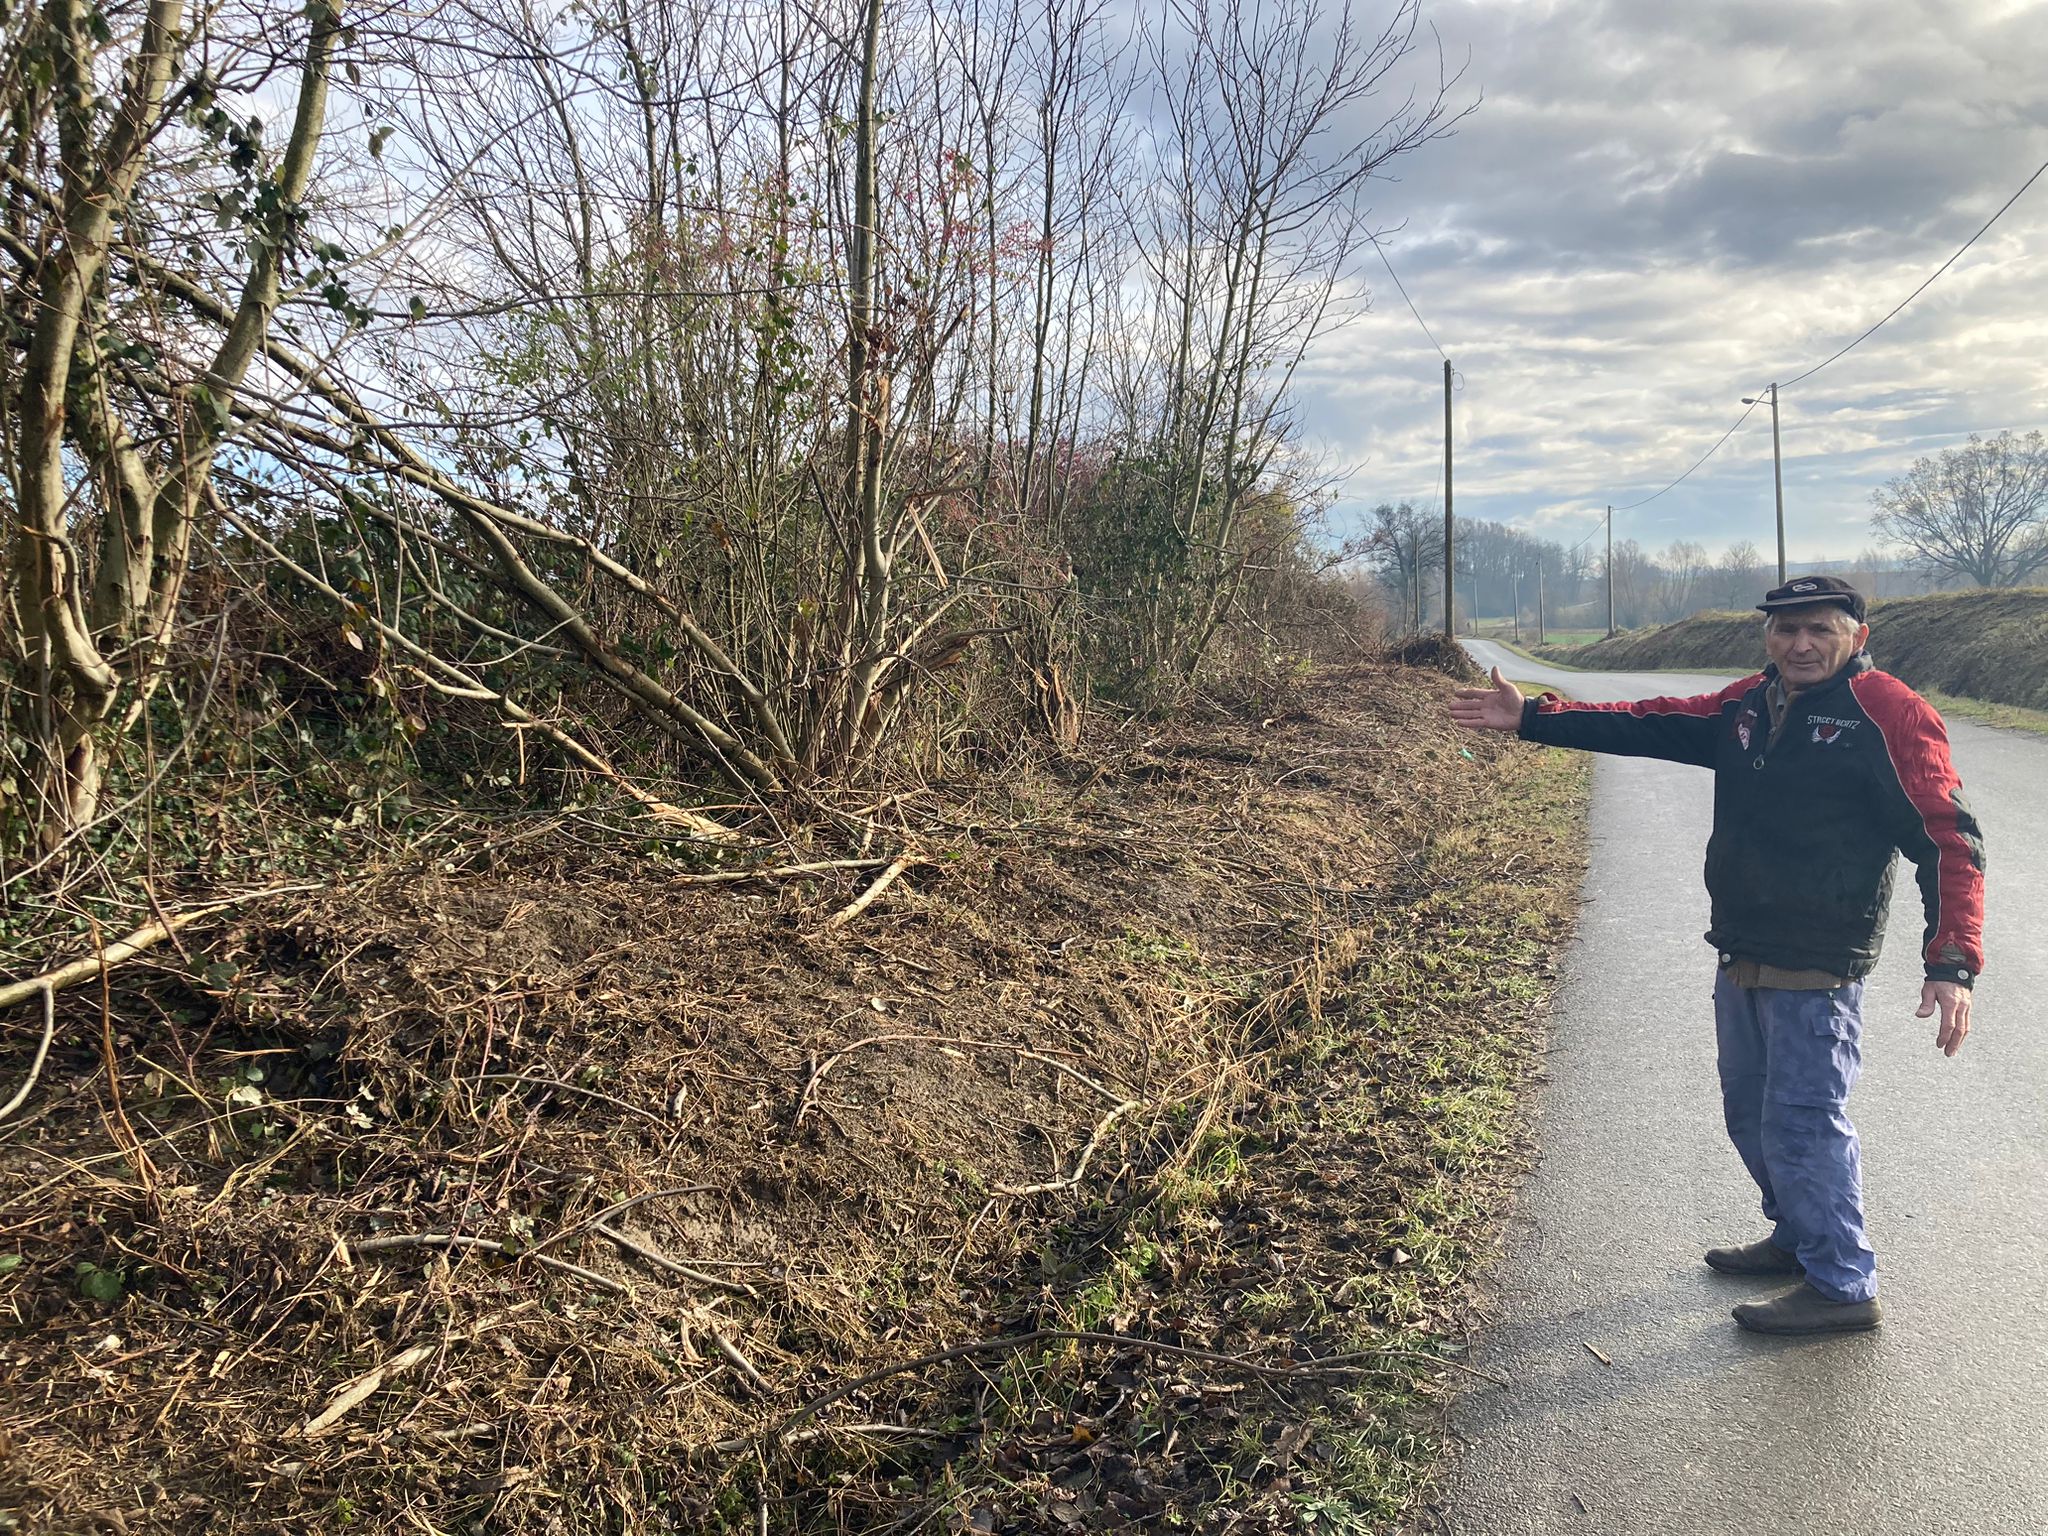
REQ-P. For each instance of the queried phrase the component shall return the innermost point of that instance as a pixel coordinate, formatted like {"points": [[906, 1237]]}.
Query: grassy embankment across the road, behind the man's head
{"points": [[1973, 648]]}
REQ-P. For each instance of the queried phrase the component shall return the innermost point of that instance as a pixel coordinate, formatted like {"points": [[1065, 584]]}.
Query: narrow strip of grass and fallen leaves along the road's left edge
{"points": [[1478, 953]]}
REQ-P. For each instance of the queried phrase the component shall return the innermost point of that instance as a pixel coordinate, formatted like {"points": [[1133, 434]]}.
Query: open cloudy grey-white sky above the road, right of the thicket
{"points": [[1662, 208]]}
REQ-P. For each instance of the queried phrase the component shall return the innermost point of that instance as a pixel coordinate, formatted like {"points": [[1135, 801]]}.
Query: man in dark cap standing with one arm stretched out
{"points": [[1824, 767]]}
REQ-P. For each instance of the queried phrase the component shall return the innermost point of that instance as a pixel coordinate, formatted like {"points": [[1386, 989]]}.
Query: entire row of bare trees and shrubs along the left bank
{"points": [[757, 361]]}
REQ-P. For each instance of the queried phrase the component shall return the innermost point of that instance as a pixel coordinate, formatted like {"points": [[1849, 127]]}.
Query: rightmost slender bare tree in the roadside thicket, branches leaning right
{"points": [[1269, 124]]}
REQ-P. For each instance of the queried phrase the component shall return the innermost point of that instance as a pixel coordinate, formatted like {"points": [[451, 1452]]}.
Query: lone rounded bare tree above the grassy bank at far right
{"points": [[1977, 513]]}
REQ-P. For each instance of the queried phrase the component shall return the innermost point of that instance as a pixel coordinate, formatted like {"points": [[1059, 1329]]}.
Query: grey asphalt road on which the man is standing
{"points": [[1936, 1422]]}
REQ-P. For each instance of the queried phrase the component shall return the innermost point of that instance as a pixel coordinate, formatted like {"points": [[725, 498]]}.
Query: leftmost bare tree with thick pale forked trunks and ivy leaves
{"points": [[124, 407]]}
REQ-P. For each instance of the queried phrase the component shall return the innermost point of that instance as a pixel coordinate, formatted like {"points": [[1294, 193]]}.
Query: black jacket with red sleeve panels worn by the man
{"points": [[1807, 820]]}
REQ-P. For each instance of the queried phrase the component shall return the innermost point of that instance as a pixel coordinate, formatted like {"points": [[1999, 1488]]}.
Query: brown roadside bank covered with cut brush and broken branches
{"points": [[1037, 1156]]}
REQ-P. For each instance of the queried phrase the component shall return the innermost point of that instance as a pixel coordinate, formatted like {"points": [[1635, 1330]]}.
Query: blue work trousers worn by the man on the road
{"points": [[1789, 1062]]}
